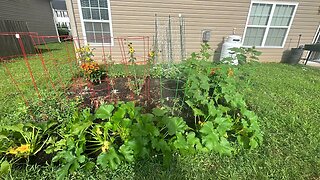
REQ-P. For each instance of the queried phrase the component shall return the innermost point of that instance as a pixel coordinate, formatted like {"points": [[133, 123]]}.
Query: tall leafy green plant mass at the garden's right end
{"points": [[220, 112]]}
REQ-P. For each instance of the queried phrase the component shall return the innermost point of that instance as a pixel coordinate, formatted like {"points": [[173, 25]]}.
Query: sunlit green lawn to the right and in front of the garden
{"points": [[286, 99]]}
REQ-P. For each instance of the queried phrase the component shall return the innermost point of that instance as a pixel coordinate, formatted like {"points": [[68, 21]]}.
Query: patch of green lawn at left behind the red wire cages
{"points": [[59, 74]]}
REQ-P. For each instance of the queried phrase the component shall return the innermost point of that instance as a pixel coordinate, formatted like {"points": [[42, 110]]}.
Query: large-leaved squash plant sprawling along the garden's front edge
{"points": [[113, 134]]}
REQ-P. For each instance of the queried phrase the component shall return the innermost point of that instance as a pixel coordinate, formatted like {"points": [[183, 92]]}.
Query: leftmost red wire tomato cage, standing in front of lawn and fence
{"points": [[30, 65]]}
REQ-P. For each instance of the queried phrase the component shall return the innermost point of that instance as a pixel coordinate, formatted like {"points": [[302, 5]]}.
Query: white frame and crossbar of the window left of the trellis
{"points": [[83, 27]]}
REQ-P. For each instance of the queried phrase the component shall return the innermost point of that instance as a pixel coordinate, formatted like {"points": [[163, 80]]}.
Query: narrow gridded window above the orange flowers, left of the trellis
{"points": [[96, 20]]}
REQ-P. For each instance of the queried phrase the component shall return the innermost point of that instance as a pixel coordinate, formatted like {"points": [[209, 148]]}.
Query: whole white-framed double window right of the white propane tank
{"points": [[268, 24]]}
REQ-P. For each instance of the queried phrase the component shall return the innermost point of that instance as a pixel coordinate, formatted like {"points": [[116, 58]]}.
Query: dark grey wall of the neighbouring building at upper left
{"points": [[37, 14]]}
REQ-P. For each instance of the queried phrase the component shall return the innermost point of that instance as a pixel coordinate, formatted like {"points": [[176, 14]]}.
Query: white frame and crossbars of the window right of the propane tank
{"points": [[274, 3]]}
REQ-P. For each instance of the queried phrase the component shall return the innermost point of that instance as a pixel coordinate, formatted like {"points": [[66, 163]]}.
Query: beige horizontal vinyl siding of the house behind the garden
{"points": [[136, 18]]}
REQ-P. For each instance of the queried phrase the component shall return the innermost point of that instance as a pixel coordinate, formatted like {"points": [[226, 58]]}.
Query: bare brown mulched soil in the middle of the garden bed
{"points": [[154, 93]]}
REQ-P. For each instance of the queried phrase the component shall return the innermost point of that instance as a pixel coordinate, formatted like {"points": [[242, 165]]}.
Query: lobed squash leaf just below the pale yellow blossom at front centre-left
{"points": [[109, 159]]}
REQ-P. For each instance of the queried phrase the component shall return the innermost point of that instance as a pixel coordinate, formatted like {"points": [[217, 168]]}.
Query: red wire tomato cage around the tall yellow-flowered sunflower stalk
{"points": [[125, 62]]}
